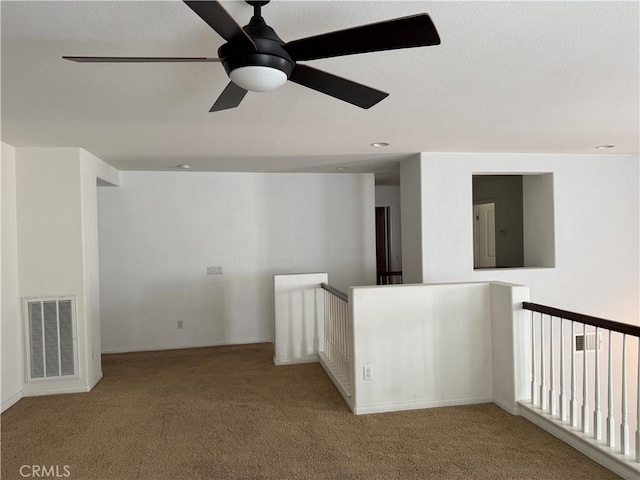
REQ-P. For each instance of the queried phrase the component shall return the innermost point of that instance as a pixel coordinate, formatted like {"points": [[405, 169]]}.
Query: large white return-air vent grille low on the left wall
{"points": [[51, 338]]}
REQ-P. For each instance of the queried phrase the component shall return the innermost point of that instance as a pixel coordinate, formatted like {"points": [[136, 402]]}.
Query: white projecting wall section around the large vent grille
{"points": [[56, 219]]}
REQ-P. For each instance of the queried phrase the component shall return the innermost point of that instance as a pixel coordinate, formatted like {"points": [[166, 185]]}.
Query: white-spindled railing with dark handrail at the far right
{"points": [[585, 372]]}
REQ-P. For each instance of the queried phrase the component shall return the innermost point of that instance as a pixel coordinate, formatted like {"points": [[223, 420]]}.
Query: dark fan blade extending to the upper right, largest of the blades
{"points": [[414, 31]]}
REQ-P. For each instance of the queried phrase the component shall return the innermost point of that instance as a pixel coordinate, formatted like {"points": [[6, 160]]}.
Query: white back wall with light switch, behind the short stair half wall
{"points": [[160, 230]]}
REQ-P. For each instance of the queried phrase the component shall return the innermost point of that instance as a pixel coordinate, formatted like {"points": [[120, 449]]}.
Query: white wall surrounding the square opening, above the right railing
{"points": [[596, 212]]}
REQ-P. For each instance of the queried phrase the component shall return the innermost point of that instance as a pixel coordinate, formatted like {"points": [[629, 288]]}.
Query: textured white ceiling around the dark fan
{"points": [[550, 77]]}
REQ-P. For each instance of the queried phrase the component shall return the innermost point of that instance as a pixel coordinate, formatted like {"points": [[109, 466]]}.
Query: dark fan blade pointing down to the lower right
{"points": [[338, 87]]}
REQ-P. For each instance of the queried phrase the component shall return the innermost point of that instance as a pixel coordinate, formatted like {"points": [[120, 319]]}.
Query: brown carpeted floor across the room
{"points": [[229, 413]]}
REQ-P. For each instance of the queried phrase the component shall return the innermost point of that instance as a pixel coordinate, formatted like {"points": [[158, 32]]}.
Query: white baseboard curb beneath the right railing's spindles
{"points": [[605, 456]]}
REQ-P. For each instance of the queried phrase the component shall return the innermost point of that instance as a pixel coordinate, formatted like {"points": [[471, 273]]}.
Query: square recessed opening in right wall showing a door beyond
{"points": [[513, 221]]}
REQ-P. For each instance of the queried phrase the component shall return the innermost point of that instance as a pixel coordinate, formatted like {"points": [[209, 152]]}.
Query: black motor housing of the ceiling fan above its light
{"points": [[268, 52]]}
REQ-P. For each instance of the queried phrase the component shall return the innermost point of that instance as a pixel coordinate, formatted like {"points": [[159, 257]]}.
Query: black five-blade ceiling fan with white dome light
{"points": [[256, 59]]}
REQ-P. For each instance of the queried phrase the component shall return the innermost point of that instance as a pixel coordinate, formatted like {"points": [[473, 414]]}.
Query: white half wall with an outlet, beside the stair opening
{"points": [[427, 345]]}
